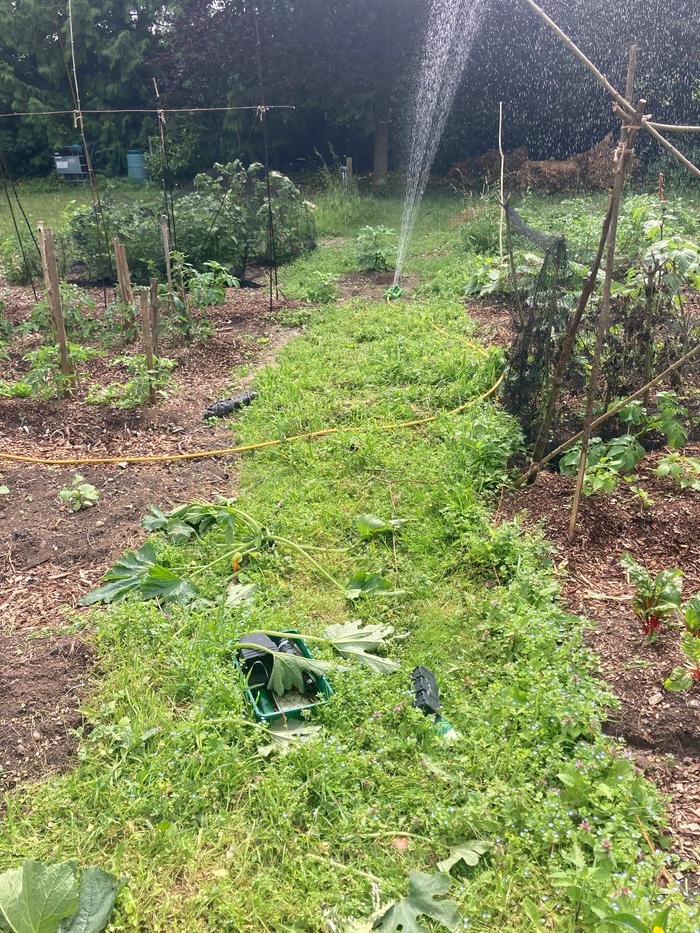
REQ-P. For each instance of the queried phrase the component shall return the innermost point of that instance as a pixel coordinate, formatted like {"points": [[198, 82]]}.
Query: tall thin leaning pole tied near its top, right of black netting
{"points": [[627, 140]]}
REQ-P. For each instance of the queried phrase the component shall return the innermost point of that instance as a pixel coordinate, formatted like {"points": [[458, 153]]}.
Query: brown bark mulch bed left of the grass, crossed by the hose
{"points": [[49, 557]]}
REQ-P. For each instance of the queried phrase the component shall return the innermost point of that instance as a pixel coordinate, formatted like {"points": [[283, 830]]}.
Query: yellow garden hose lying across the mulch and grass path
{"points": [[226, 451]]}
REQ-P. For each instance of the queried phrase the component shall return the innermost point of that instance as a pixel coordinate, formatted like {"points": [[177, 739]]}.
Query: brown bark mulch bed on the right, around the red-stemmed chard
{"points": [[662, 729]]}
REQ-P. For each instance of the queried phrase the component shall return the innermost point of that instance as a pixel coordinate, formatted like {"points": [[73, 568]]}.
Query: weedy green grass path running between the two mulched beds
{"points": [[169, 788]]}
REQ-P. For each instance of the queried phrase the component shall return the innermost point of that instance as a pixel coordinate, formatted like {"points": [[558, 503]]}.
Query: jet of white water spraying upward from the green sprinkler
{"points": [[452, 25]]}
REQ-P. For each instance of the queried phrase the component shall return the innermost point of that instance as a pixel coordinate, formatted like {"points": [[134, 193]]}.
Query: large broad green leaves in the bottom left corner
{"points": [[38, 898]]}
